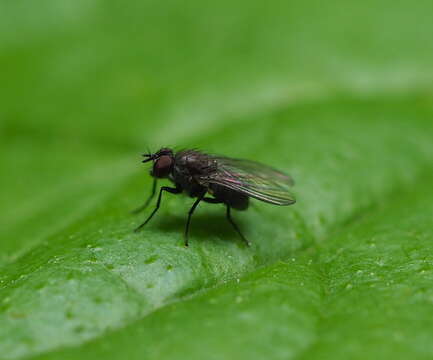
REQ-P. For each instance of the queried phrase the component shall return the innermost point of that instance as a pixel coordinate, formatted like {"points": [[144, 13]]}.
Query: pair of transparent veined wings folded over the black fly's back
{"points": [[251, 178]]}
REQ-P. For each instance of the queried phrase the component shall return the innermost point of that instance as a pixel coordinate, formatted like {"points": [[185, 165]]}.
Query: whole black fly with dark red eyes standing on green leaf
{"points": [[228, 181]]}
